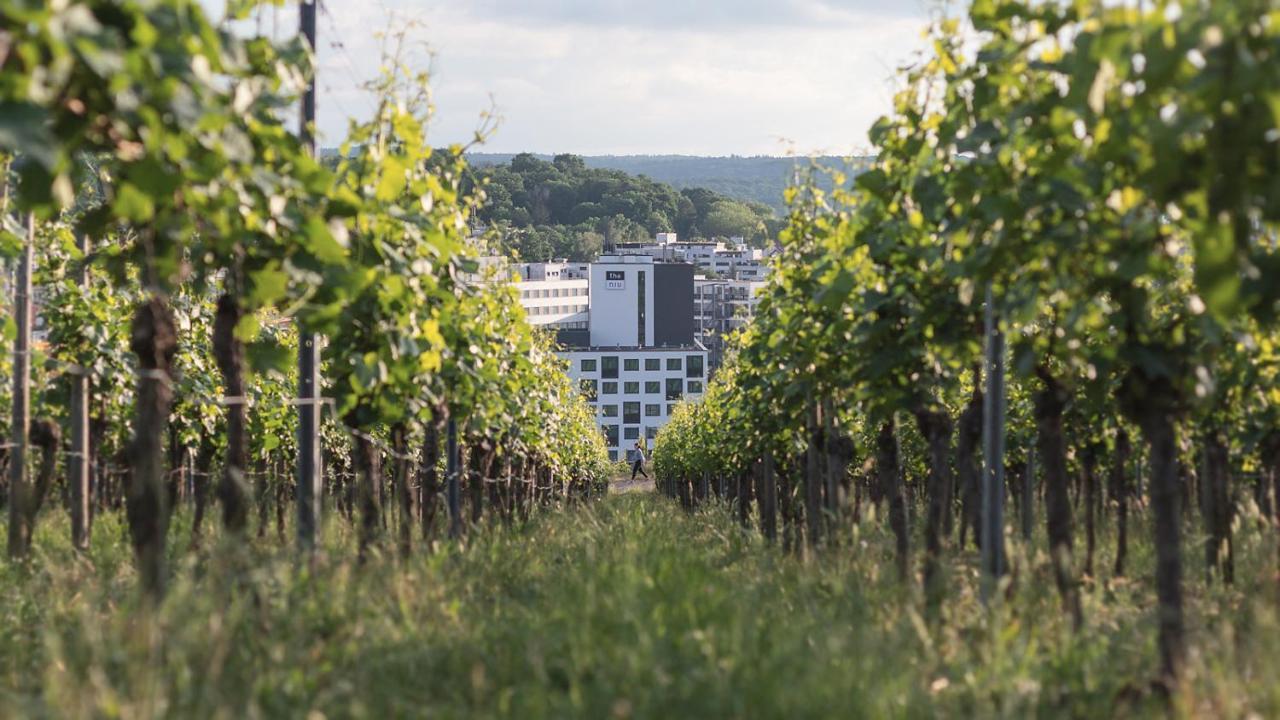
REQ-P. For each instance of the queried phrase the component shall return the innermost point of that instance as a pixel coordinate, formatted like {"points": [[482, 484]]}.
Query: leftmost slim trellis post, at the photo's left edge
{"points": [[20, 531]]}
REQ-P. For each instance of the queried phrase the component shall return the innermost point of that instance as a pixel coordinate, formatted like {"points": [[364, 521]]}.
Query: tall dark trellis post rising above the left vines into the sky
{"points": [[309, 352]]}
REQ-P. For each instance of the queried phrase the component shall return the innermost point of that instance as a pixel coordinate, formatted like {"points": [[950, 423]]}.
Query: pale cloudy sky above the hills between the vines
{"points": [[700, 78]]}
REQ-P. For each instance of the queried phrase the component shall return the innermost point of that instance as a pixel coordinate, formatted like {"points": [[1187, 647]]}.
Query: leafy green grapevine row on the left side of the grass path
{"points": [[221, 309]]}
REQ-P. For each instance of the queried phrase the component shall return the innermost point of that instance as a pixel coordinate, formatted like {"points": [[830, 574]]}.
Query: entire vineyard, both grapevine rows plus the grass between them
{"points": [[1003, 439]]}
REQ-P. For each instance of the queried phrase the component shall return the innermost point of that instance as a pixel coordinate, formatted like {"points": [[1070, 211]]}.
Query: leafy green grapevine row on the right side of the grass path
{"points": [[1089, 193]]}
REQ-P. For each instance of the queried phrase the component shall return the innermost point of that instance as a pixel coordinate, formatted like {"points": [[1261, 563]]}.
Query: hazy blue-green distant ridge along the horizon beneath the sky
{"points": [[758, 179]]}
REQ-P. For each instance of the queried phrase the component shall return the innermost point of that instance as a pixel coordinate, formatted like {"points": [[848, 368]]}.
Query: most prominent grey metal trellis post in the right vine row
{"points": [[994, 453]]}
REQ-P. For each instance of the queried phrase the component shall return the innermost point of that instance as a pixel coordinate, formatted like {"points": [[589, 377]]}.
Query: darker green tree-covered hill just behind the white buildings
{"points": [[563, 208]]}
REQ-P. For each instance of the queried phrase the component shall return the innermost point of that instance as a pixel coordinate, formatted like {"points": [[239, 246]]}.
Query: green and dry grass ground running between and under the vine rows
{"points": [[627, 609]]}
